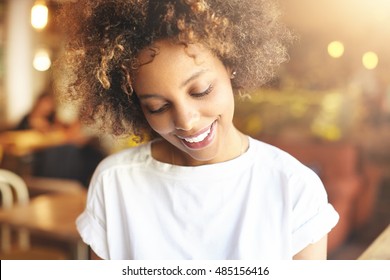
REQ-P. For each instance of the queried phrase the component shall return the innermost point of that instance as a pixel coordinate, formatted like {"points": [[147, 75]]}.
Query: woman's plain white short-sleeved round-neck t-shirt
{"points": [[262, 205]]}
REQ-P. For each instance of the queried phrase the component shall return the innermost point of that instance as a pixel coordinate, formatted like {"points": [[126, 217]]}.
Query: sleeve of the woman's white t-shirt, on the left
{"points": [[91, 224]]}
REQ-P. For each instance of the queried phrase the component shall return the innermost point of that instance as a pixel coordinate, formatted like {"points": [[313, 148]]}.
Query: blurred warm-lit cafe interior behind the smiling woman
{"points": [[329, 107]]}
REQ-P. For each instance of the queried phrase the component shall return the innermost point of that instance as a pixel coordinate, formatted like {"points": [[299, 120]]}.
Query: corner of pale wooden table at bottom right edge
{"points": [[380, 248]]}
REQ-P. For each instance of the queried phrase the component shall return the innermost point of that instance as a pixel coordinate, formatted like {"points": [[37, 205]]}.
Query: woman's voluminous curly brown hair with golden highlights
{"points": [[105, 36]]}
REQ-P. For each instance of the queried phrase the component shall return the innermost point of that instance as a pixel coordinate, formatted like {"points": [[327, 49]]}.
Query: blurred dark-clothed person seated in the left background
{"points": [[73, 154]]}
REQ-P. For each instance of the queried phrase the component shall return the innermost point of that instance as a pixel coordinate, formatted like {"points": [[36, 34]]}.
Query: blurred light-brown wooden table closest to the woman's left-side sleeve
{"points": [[51, 215]]}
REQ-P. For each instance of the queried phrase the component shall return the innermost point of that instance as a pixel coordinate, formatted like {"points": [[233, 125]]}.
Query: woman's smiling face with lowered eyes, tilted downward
{"points": [[187, 98]]}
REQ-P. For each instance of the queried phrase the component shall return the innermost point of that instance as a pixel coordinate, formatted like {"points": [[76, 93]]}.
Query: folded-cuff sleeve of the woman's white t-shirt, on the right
{"points": [[313, 216]]}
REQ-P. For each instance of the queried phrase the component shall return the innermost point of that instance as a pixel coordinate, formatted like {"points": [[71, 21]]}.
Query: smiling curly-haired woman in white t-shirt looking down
{"points": [[199, 189]]}
